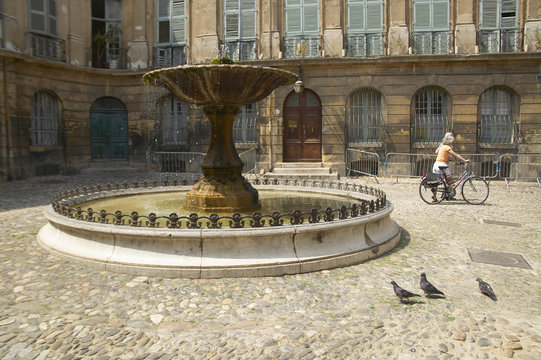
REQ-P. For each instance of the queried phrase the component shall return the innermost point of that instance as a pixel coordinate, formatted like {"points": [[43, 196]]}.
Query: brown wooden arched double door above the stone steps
{"points": [[302, 127]]}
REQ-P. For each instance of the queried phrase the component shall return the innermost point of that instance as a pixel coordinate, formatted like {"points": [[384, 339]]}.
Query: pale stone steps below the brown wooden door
{"points": [[304, 170]]}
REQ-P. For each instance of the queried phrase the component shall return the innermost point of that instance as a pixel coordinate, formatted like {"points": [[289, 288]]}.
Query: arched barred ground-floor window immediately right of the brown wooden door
{"points": [[365, 119]]}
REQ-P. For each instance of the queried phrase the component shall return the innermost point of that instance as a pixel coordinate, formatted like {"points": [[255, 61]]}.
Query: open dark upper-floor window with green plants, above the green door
{"points": [[106, 33]]}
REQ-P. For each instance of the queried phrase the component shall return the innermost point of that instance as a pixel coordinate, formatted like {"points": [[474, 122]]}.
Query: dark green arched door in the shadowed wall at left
{"points": [[108, 134]]}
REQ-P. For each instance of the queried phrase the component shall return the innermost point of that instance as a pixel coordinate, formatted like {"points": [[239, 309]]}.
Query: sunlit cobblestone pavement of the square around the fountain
{"points": [[54, 309]]}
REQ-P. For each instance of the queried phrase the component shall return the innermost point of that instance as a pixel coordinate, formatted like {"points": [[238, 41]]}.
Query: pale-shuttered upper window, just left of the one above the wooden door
{"points": [[240, 29]]}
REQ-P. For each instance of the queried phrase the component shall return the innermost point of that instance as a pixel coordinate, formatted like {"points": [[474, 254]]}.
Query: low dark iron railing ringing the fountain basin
{"points": [[63, 202]]}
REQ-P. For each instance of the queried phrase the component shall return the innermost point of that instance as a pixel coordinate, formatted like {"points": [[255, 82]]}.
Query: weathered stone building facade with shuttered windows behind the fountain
{"points": [[385, 76]]}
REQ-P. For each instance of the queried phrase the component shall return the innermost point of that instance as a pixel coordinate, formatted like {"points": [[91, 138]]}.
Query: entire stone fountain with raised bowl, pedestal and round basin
{"points": [[225, 239]]}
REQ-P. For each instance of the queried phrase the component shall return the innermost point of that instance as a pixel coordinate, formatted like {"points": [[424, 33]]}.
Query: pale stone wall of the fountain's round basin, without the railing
{"points": [[224, 252]]}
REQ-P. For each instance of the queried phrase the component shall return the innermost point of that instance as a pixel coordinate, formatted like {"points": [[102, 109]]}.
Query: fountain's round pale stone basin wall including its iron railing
{"points": [[189, 247]]}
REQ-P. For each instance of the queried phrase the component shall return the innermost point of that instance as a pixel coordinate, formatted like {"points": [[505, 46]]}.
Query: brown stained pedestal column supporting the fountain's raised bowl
{"points": [[222, 187]]}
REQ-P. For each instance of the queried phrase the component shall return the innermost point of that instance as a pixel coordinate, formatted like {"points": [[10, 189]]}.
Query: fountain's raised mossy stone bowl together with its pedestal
{"points": [[217, 90]]}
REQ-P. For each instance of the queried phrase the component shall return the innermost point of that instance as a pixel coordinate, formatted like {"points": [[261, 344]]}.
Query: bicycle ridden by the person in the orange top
{"points": [[434, 189]]}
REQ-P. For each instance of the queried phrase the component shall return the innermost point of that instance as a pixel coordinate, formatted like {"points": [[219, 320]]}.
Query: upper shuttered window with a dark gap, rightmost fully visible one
{"points": [[498, 24]]}
